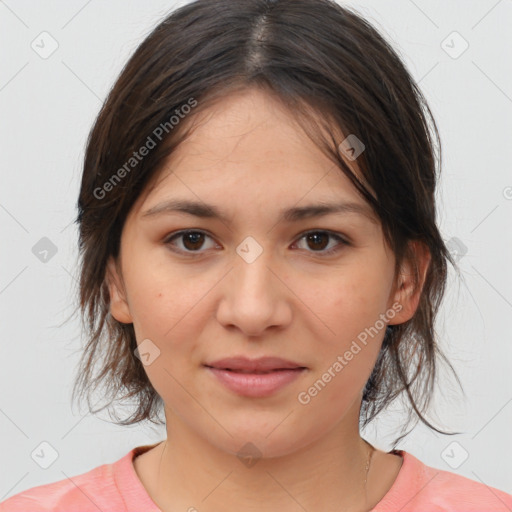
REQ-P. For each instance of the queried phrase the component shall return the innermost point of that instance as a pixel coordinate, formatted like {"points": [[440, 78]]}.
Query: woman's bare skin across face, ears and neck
{"points": [[247, 156]]}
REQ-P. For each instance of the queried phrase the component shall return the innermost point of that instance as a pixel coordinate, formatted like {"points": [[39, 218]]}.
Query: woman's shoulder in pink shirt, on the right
{"points": [[419, 487]]}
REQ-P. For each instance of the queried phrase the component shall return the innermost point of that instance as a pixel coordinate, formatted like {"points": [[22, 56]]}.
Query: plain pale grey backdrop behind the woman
{"points": [[47, 108]]}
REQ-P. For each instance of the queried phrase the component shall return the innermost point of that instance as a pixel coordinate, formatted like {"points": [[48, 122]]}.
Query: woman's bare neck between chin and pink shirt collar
{"points": [[327, 474]]}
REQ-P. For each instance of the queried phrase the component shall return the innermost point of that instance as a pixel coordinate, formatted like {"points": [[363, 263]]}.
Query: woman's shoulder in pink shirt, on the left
{"points": [[94, 490]]}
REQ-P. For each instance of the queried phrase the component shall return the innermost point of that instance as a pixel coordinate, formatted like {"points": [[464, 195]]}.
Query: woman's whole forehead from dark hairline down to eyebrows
{"points": [[249, 150]]}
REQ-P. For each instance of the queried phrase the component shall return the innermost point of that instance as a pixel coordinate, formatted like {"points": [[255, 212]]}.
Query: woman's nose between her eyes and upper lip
{"points": [[254, 297]]}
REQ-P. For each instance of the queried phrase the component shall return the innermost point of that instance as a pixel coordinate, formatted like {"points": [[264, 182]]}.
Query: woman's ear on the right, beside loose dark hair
{"points": [[407, 293]]}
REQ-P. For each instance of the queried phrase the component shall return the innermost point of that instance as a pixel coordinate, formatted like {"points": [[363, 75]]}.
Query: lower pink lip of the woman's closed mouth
{"points": [[256, 385]]}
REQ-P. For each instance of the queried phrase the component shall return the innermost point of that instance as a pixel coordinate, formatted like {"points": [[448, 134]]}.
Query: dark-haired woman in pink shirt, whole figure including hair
{"points": [[261, 261]]}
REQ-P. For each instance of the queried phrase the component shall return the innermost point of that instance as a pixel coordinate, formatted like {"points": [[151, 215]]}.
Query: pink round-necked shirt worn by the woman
{"points": [[116, 487]]}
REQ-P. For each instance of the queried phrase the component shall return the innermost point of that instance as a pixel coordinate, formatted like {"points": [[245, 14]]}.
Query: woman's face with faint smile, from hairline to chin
{"points": [[252, 283]]}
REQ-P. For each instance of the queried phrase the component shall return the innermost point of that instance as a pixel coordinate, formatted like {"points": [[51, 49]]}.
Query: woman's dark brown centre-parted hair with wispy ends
{"points": [[334, 71]]}
